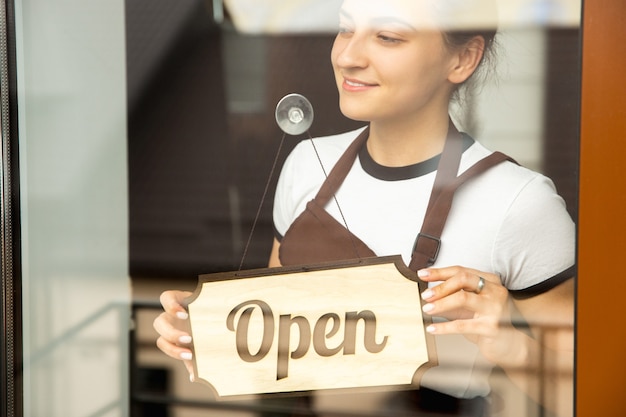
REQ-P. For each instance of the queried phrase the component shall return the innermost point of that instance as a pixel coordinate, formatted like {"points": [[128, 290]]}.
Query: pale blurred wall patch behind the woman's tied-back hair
{"points": [[507, 113]]}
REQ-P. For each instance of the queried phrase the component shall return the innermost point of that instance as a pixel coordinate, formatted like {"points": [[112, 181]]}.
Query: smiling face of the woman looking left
{"points": [[390, 61]]}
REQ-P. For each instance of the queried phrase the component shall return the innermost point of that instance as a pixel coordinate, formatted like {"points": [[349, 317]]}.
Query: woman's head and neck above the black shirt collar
{"points": [[399, 77]]}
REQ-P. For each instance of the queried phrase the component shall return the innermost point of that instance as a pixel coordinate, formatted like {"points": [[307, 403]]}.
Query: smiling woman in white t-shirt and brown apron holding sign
{"points": [[508, 230]]}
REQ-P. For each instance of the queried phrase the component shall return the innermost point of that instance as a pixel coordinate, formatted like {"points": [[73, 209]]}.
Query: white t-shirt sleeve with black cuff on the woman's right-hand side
{"points": [[535, 247]]}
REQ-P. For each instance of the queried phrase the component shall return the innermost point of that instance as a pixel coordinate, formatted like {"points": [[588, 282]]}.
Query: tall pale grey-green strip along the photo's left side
{"points": [[72, 128]]}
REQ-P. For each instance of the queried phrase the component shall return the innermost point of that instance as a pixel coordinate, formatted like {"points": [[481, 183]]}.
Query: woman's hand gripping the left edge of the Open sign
{"points": [[172, 325]]}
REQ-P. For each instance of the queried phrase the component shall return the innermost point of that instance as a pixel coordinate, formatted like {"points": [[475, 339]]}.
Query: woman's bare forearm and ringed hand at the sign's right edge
{"points": [[539, 359]]}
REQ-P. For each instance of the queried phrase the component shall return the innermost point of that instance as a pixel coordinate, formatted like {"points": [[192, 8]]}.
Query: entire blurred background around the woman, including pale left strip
{"points": [[147, 137]]}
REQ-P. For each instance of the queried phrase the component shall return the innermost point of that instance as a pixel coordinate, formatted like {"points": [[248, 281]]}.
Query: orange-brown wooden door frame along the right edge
{"points": [[601, 343]]}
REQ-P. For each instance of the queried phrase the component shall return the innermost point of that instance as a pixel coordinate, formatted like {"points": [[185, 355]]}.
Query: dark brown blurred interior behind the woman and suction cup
{"points": [[202, 137]]}
